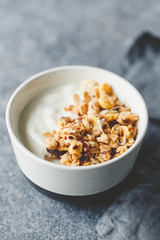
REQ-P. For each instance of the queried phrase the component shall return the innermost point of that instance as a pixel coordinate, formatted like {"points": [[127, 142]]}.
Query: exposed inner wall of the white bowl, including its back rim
{"points": [[45, 80]]}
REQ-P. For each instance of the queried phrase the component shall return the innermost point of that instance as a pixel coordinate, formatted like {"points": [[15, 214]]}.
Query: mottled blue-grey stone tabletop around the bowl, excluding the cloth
{"points": [[36, 35]]}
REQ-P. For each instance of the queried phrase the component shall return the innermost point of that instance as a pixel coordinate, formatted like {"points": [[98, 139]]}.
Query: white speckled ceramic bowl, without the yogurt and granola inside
{"points": [[72, 180]]}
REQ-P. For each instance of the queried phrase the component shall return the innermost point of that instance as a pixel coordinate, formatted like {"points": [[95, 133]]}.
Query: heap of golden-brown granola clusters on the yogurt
{"points": [[104, 128]]}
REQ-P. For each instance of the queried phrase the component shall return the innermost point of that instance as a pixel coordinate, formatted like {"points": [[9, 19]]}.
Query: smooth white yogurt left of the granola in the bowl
{"points": [[41, 114]]}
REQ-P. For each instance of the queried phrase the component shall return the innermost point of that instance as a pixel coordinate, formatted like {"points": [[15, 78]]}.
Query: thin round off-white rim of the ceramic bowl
{"points": [[64, 167]]}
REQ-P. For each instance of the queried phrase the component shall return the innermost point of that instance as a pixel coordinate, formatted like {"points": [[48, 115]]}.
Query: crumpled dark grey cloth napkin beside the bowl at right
{"points": [[135, 214]]}
